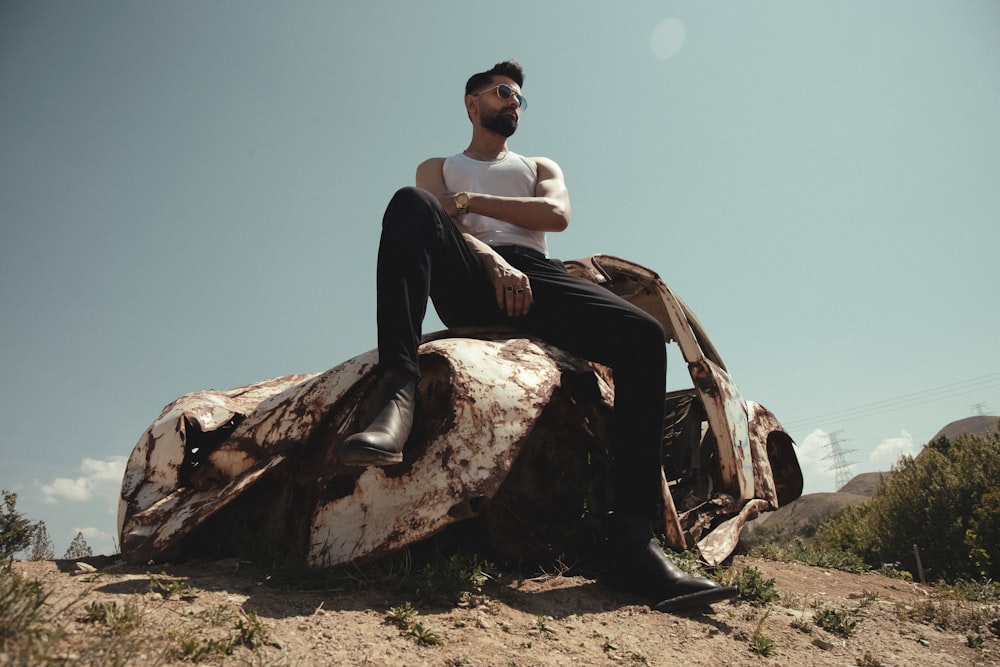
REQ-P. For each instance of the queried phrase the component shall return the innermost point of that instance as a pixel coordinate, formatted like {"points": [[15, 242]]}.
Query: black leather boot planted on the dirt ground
{"points": [[638, 565]]}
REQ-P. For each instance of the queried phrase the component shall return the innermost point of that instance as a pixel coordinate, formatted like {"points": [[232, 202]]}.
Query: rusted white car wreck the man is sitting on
{"points": [[508, 429]]}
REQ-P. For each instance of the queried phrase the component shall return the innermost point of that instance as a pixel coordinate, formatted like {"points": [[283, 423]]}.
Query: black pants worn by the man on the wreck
{"points": [[422, 254]]}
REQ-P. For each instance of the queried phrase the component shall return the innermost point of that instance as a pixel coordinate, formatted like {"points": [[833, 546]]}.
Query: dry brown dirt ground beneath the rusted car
{"points": [[189, 611]]}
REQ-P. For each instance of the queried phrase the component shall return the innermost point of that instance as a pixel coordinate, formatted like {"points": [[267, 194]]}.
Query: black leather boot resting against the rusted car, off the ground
{"points": [[381, 444]]}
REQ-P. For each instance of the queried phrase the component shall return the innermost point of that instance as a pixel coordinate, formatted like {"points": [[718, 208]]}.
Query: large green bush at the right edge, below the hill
{"points": [[944, 501]]}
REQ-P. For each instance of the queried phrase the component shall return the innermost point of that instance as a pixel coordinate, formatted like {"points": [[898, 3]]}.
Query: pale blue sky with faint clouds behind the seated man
{"points": [[190, 197]]}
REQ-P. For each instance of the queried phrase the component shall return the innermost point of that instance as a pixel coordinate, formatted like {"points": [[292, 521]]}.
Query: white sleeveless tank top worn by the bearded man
{"points": [[510, 176]]}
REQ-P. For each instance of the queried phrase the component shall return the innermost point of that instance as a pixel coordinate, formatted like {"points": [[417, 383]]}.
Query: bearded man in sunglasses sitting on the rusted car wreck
{"points": [[471, 237]]}
